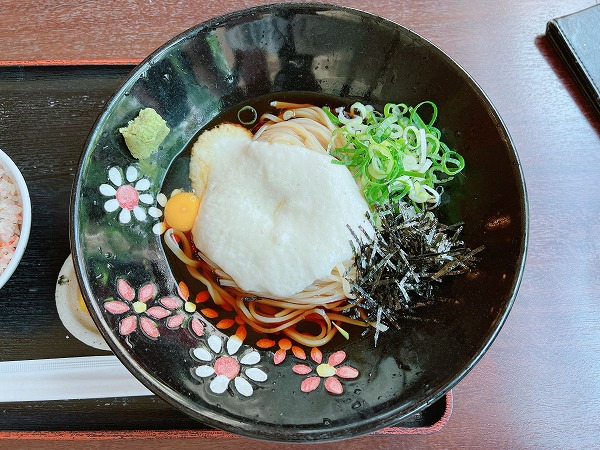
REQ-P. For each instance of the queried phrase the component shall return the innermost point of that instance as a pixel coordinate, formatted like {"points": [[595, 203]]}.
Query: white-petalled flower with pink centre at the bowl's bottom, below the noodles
{"points": [[225, 366]]}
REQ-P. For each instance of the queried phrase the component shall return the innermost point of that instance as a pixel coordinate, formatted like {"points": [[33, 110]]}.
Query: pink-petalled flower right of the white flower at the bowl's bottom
{"points": [[331, 372]]}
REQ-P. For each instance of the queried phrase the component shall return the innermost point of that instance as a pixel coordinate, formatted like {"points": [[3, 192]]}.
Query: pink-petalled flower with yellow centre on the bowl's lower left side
{"points": [[137, 313]]}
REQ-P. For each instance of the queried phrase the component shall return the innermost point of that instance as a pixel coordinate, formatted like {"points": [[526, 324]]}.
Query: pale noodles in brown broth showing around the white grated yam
{"points": [[327, 302]]}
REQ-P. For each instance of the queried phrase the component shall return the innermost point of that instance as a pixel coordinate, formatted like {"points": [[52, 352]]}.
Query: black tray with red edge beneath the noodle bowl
{"points": [[46, 114]]}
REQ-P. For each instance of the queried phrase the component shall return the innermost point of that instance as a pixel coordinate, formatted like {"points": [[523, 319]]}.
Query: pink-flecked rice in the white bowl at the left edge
{"points": [[11, 218]]}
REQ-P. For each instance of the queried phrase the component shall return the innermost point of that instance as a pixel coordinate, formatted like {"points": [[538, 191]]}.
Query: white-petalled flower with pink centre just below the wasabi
{"points": [[128, 194]]}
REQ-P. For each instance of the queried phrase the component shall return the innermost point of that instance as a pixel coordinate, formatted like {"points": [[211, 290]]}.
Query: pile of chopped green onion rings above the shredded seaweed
{"points": [[395, 155]]}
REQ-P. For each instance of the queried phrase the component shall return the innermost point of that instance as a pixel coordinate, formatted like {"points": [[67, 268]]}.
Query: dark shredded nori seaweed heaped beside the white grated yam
{"points": [[399, 265]]}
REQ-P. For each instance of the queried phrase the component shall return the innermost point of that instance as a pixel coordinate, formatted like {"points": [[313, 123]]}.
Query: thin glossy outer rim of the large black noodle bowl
{"points": [[389, 417]]}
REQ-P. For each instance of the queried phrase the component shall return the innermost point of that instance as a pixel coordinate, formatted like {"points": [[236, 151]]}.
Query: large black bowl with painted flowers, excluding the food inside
{"points": [[130, 285]]}
